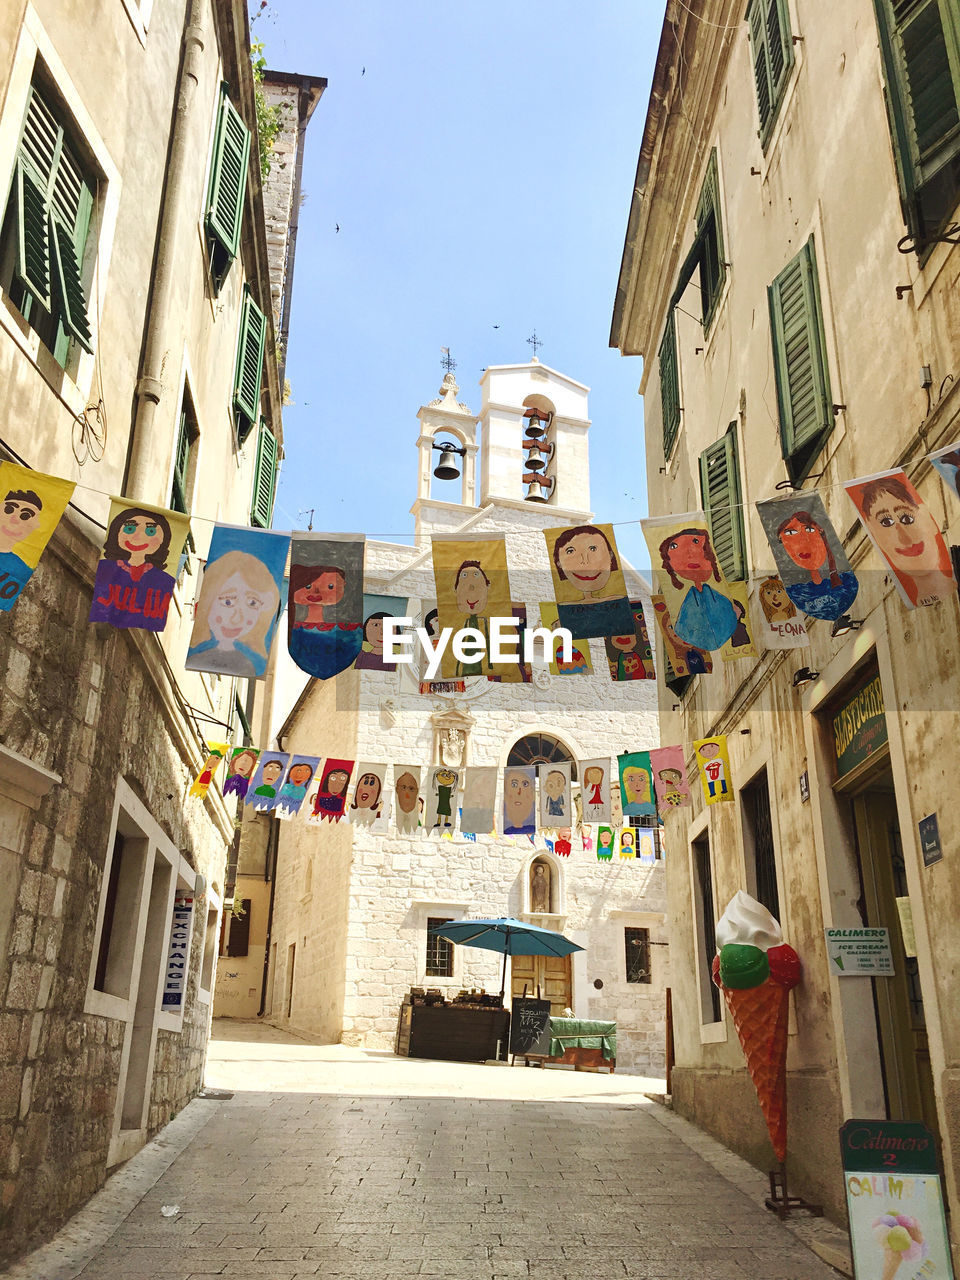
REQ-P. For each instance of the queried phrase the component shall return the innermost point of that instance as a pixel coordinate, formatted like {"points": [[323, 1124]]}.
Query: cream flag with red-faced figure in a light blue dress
{"points": [[691, 579]]}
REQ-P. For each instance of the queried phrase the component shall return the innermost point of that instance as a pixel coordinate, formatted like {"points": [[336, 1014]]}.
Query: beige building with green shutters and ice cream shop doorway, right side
{"points": [[789, 278]]}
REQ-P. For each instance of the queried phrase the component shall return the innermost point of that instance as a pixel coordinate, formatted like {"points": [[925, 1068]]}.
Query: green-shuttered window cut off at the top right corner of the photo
{"points": [[921, 49]]}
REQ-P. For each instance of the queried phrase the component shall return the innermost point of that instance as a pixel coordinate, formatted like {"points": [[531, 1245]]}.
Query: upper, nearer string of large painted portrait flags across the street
{"points": [[332, 624]]}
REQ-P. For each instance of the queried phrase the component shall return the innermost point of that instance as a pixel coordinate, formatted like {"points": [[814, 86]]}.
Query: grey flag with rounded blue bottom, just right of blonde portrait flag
{"points": [[326, 614]]}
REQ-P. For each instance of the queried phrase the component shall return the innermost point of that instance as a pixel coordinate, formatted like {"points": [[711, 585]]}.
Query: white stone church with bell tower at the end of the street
{"points": [[351, 907]]}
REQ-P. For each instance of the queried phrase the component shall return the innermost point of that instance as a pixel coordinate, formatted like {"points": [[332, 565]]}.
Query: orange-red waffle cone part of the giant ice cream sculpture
{"points": [[761, 1018]]}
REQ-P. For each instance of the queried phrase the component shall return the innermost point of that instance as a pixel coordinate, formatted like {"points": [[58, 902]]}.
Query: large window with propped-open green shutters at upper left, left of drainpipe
{"points": [[45, 231]]}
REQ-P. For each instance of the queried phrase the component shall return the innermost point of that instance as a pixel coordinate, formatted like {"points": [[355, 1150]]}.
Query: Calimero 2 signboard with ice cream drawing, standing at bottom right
{"points": [[895, 1201]]}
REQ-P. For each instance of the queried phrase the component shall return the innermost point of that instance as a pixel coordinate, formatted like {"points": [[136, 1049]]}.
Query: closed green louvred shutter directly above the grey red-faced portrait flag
{"points": [[801, 363]]}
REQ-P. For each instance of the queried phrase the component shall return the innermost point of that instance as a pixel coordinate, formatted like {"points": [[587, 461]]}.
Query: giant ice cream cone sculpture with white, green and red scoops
{"points": [[756, 971]]}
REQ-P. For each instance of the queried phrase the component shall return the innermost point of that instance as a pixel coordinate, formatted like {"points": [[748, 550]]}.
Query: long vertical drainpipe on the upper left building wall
{"points": [[141, 472]]}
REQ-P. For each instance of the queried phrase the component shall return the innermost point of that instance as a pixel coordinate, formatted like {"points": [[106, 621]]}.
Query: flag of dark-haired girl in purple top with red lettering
{"points": [[138, 570]]}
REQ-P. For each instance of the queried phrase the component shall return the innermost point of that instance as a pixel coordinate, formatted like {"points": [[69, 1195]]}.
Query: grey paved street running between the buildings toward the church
{"points": [[340, 1164]]}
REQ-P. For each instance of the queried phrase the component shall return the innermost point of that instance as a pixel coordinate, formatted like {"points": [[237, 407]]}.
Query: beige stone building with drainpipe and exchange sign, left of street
{"points": [[135, 327]]}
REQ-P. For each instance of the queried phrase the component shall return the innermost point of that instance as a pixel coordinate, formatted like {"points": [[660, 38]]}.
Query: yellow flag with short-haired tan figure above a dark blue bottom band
{"points": [[588, 582]]}
